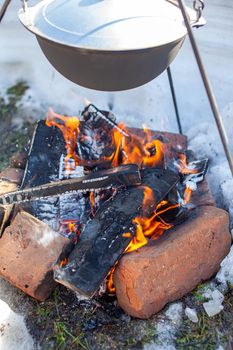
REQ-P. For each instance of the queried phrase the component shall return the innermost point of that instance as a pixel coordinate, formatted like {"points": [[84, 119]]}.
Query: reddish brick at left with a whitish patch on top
{"points": [[28, 251]]}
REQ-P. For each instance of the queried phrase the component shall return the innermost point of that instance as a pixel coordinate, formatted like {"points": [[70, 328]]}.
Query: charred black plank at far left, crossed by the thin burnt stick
{"points": [[42, 167]]}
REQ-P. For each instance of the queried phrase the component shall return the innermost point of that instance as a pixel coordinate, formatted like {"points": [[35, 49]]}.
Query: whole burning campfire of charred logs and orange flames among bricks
{"points": [[104, 189]]}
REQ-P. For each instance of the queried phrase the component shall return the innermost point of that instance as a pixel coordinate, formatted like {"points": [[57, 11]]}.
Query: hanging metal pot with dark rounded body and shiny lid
{"points": [[108, 44]]}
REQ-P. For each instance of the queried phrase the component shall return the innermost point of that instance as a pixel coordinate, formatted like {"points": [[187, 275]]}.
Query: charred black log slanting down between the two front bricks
{"points": [[102, 242]]}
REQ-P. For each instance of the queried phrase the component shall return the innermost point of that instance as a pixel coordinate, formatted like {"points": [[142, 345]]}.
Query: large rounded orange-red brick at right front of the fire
{"points": [[148, 279]]}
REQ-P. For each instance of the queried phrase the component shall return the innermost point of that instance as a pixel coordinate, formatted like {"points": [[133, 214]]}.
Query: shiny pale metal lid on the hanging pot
{"points": [[111, 25]]}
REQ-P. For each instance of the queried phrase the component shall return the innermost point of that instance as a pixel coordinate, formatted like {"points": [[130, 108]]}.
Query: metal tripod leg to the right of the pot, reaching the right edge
{"points": [[210, 94]]}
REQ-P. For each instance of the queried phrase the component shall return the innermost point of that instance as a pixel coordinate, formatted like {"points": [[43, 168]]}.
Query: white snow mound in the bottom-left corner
{"points": [[13, 331]]}
